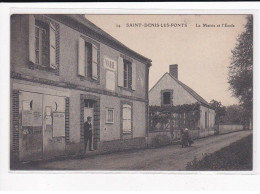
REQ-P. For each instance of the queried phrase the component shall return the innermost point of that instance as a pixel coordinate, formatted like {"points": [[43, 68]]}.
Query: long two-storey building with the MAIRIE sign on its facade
{"points": [[64, 69]]}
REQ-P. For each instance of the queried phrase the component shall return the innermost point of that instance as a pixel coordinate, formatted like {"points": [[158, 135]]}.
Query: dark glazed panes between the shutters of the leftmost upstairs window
{"points": [[41, 43]]}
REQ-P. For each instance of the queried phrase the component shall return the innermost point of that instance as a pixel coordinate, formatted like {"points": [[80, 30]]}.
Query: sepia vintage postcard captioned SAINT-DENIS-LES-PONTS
{"points": [[134, 92]]}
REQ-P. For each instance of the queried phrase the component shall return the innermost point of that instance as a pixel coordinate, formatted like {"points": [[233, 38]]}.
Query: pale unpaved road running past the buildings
{"points": [[169, 158]]}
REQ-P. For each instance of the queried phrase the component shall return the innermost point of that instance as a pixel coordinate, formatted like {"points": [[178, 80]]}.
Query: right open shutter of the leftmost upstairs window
{"points": [[52, 31]]}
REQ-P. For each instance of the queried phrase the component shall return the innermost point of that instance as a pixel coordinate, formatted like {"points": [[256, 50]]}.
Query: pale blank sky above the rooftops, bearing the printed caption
{"points": [[203, 53]]}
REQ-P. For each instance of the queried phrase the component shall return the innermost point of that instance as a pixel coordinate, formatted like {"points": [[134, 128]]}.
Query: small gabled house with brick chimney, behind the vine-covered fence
{"points": [[171, 91]]}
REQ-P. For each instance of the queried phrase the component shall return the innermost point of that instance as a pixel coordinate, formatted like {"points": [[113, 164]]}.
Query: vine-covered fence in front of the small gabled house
{"points": [[166, 123]]}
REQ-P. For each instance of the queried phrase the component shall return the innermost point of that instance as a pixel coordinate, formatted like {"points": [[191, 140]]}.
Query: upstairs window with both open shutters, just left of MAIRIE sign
{"points": [[88, 59]]}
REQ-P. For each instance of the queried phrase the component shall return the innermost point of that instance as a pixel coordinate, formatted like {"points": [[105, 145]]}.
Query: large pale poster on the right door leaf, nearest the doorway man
{"points": [[58, 124]]}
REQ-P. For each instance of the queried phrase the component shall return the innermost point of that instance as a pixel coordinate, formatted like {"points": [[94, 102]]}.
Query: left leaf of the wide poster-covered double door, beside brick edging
{"points": [[31, 136]]}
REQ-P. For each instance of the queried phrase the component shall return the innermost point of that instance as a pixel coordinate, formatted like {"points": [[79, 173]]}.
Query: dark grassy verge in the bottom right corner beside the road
{"points": [[236, 156]]}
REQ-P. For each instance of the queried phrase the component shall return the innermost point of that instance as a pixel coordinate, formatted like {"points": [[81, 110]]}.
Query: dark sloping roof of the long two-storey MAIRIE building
{"points": [[83, 20]]}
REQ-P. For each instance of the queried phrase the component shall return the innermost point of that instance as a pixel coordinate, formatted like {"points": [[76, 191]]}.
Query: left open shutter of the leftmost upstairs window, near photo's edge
{"points": [[32, 38]]}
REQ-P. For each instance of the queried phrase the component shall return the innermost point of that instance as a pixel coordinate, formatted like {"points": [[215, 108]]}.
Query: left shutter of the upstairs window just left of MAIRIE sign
{"points": [[81, 57]]}
